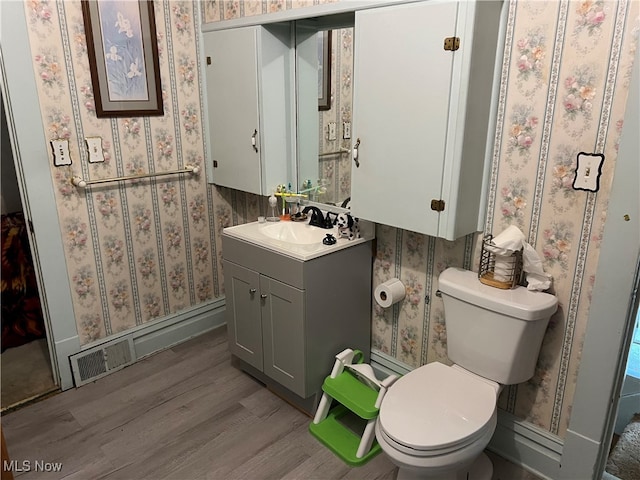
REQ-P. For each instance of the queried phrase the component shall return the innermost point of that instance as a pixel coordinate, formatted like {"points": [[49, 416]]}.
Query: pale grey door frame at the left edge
{"points": [[30, 152]]}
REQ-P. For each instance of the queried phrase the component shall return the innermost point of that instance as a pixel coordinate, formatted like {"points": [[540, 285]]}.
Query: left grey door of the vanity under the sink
{"points": [[244, 326]]}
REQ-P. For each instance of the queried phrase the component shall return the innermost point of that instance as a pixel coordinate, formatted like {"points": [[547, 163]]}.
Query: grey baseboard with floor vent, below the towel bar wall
{"points": [[118, 351]]}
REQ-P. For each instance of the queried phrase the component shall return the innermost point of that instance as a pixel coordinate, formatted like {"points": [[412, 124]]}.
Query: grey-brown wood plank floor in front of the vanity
{"points": [[184, 413]]}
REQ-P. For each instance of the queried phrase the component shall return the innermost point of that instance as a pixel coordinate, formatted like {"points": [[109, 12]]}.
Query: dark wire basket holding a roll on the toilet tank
{"points": [[499, 271]]}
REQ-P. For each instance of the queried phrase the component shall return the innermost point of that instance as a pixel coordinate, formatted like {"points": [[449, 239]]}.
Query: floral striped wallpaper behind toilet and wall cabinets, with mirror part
{"points": [[564, 84]]}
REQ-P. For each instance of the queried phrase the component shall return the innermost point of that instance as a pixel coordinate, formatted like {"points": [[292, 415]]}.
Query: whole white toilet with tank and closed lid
{"points": [[435, 422]]}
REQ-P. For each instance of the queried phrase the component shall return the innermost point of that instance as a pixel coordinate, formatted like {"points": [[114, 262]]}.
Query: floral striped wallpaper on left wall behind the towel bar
{"points": [[143, 249]]}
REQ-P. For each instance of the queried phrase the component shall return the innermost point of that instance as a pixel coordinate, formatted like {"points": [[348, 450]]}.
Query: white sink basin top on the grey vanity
{"points": [[297, 239]]}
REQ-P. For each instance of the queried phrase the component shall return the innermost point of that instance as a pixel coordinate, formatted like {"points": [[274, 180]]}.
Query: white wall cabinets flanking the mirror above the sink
{"points": [[423, 108]]}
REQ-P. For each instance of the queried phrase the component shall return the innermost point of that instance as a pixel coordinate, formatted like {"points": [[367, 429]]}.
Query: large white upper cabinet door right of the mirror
{"points": [[402, 87]]}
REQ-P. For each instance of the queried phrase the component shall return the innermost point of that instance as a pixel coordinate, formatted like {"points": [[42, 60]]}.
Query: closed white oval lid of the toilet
{"points": [[436, 406]]}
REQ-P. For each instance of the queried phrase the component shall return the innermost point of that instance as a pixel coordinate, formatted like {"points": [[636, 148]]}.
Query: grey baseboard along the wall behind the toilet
{"points": [[520, 442]]}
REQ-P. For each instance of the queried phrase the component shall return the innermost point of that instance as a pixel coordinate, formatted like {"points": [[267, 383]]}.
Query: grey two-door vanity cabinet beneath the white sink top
{"points": [[287, 318]]}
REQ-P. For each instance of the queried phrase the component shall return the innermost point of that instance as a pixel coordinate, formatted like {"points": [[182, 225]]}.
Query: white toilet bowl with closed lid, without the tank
{"points": [[429, 428]]}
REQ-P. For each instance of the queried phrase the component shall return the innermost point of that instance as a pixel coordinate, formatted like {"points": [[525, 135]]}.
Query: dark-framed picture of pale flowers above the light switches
{"points": [[123, 57]]}
